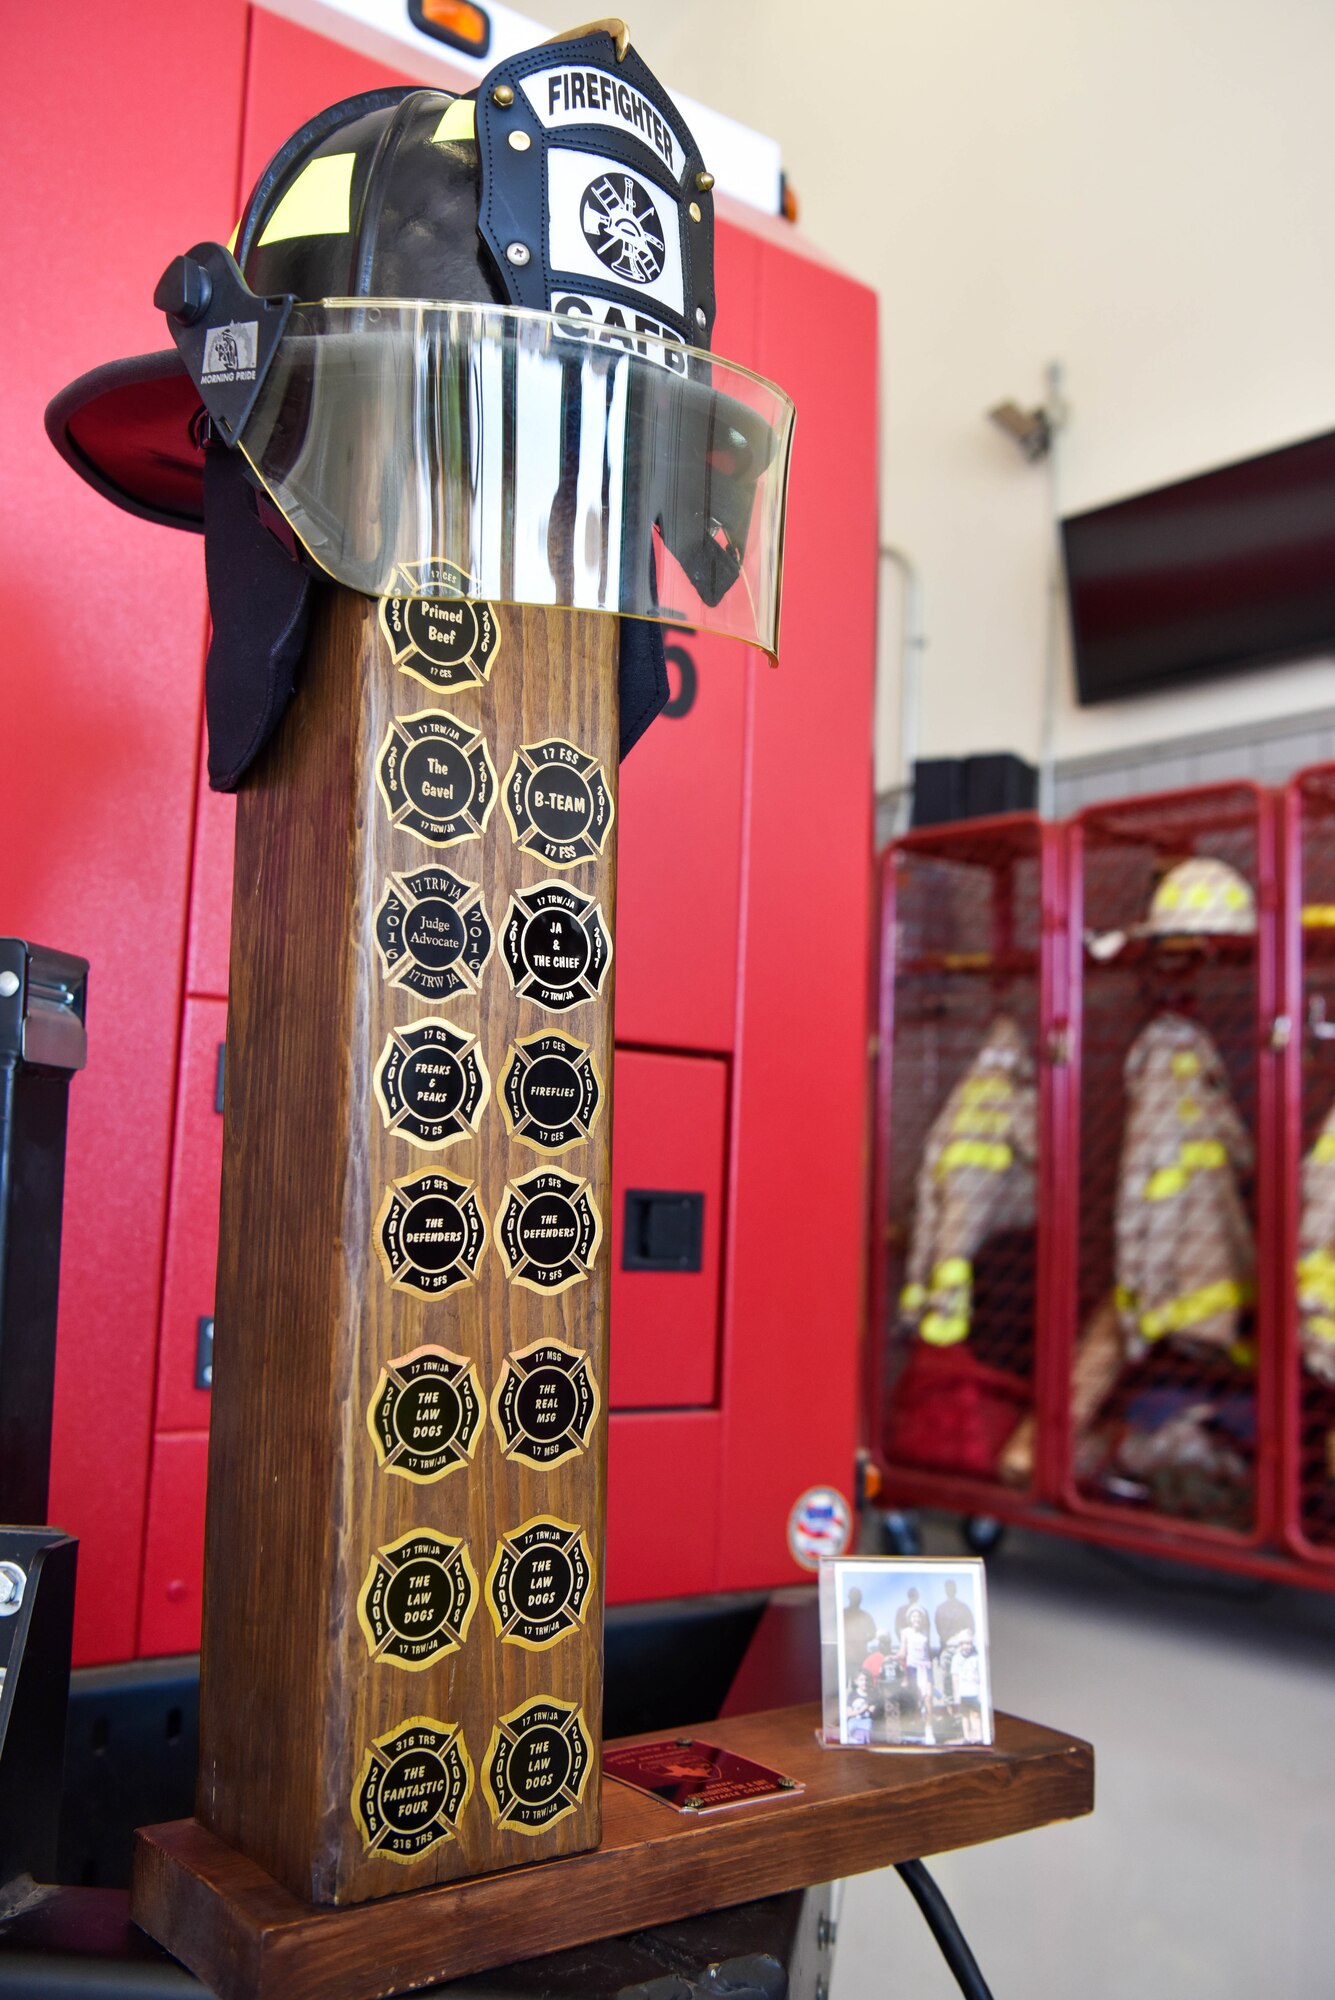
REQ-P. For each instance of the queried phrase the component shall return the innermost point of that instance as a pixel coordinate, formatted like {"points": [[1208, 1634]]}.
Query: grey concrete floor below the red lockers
{"points": [[1208, 1867]]}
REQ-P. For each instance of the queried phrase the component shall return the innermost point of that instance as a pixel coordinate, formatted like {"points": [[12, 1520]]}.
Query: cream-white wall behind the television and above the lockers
{"points": [[1142, 189]]}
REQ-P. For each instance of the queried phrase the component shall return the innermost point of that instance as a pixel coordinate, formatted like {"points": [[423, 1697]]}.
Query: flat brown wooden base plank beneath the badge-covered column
{"points": [[249, 1939]]}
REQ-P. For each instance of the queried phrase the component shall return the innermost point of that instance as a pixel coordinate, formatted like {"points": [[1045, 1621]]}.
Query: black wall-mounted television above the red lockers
{"points": [[1214, 575]]}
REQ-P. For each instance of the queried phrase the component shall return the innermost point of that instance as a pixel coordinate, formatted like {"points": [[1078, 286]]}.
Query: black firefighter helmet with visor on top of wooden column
{"points": [[459, 349]]}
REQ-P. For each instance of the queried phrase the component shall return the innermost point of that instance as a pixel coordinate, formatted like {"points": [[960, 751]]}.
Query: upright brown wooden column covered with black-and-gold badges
{"points": [[407, 1489]]}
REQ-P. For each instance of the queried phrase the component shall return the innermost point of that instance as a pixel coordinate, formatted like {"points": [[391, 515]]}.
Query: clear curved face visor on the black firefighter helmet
{"points": [[487, 453]]}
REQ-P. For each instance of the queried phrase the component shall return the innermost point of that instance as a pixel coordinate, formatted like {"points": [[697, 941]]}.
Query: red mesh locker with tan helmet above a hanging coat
{"points": [[1182, 1433]]}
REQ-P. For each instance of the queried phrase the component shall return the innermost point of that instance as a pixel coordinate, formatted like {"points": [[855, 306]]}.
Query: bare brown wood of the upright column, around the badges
{"points": [[307, 1311]]}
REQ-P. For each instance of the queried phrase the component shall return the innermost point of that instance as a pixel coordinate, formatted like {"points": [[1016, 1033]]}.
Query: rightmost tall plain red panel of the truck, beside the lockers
{"points": [[796, 1177]]}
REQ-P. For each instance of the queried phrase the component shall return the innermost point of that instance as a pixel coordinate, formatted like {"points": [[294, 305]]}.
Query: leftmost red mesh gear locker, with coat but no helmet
{"points": [[966, 1161]]}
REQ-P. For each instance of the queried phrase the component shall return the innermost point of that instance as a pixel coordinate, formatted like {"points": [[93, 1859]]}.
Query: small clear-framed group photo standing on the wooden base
{"points": [[904, 1653]]}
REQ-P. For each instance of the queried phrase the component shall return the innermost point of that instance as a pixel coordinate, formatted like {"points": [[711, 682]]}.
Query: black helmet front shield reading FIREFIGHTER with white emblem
{"points": [[595, 195]]}
